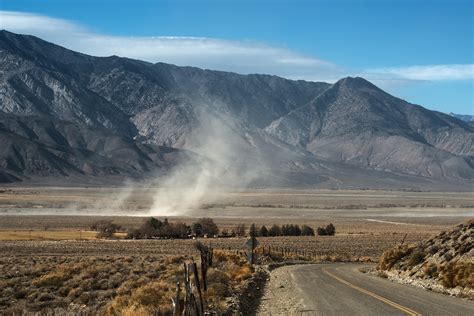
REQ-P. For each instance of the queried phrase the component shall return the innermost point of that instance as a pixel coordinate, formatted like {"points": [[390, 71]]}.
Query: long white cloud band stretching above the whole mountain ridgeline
{"points": [[239, 56]]}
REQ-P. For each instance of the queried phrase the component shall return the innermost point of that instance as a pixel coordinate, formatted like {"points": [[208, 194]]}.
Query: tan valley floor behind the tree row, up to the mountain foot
{"points": [[60, 213]]}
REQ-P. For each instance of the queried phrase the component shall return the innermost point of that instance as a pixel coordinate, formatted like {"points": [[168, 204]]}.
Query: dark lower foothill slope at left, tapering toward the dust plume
{"points": [[42, 149]]}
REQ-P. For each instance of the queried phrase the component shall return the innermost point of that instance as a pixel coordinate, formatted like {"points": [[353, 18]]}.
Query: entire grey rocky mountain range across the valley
{"points": [[66, 117]]}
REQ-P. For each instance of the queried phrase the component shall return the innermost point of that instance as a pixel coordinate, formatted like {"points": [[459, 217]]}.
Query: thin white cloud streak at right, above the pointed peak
{"points": [[428, 72]]}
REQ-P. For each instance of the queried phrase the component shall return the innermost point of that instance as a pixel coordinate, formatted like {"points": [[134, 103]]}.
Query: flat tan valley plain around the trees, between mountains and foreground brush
{"points": [[58, 220]]}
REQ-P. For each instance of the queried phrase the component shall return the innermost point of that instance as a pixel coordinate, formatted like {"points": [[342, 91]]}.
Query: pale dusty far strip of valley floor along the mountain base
{"points": [[137, 201]]}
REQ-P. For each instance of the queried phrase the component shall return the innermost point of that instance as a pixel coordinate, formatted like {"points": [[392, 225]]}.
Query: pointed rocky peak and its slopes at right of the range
{"points": [[355, 122]]}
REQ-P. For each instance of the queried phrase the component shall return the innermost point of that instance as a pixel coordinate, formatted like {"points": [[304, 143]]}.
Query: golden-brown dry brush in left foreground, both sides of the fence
{"points": [[111, 285]]}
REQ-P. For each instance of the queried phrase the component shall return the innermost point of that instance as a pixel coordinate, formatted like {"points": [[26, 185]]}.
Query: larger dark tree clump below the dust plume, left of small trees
{"points": [[154, 228]]}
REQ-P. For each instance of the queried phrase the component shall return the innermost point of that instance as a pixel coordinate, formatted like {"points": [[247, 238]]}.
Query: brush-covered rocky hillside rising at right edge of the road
{"points": [[444, 263]]}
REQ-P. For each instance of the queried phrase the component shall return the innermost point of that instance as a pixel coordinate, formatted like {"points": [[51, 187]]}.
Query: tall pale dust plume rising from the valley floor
{"points": [[225, 160]]}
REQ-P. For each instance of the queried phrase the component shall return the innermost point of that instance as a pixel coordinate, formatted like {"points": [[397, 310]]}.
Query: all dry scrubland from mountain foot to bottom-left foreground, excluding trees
{"points": [[44, 263]]}
